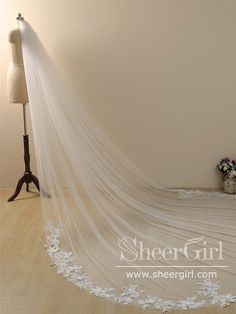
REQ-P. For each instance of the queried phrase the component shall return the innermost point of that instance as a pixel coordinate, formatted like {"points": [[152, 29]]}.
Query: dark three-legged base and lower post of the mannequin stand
{"points": [[28, 177]]}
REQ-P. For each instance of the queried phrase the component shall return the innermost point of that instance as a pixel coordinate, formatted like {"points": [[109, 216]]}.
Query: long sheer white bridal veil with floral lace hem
{"points": [[105, 221]]}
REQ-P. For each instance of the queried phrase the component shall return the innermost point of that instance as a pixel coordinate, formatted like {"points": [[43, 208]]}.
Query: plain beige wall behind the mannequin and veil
{"points": [[158, 75]]}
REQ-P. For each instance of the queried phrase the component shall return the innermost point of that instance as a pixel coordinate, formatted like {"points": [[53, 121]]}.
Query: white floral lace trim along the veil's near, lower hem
{"points": [[207, 295]]}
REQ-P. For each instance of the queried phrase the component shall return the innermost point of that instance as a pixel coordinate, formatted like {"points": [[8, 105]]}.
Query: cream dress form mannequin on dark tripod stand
{"points": [[17, 93]]}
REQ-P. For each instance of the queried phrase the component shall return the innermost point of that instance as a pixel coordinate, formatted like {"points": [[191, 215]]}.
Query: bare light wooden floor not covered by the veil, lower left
{"points": [[29, 285]]}
